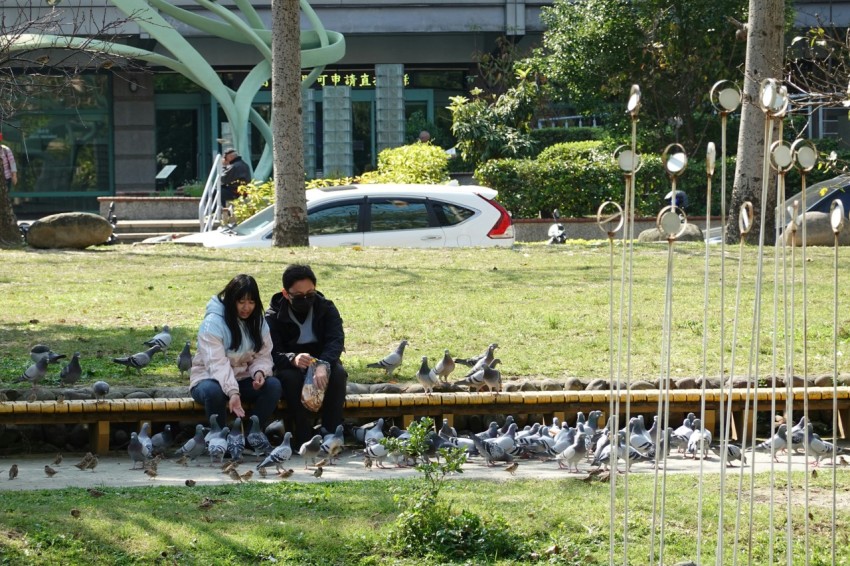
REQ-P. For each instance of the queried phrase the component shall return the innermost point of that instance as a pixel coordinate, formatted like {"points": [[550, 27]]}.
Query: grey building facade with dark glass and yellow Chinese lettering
{"points": [[119, 129]]}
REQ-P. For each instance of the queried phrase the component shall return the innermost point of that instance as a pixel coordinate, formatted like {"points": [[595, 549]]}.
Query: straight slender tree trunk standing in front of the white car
{"points": [[290, 200]]}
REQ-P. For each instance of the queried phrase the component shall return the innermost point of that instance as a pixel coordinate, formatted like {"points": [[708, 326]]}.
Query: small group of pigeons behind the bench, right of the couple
{"points": [[482, 372]]}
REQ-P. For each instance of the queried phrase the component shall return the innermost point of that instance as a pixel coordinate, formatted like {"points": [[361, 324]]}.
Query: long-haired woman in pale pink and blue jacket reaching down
{"points": [[233, 361]]}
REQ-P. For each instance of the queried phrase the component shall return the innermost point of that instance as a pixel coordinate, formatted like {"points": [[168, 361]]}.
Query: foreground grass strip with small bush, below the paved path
{"points": [[349, 523]]}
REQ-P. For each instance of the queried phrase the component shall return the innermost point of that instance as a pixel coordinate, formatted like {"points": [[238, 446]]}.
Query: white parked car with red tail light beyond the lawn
{"points": [[390, 215]]}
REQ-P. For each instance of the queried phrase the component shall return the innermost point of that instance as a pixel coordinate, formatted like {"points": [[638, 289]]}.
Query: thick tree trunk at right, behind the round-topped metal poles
{"points": [[764, 60]]}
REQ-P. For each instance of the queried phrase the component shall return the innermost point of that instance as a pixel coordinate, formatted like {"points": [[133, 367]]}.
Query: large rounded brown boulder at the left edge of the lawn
{"points": [[69, 230]]}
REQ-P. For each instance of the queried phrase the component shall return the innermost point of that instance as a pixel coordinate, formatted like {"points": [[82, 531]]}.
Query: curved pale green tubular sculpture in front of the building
{"points": [[319, 47]]}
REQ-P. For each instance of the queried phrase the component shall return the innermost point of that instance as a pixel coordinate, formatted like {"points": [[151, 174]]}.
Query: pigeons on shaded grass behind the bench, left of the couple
{"points": [[69, 374]]}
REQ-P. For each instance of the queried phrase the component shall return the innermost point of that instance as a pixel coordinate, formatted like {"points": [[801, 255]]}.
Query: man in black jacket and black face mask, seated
{"points": [[305, 326]]}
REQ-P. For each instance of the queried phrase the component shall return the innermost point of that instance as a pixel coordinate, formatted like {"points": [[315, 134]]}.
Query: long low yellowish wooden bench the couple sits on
{"points": [[407, 406]]}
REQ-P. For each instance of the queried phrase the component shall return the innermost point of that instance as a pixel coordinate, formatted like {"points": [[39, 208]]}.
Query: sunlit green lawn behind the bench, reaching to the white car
{"points": [[546, 306]]}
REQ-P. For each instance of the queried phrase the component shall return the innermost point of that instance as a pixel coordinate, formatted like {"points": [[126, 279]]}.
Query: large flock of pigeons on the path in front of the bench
{"points": [[586, 444]]}
